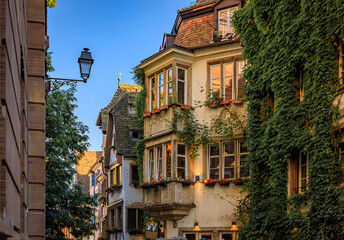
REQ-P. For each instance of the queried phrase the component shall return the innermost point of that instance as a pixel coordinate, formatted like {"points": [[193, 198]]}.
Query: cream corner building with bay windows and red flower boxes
{"points": [[198, 69]]}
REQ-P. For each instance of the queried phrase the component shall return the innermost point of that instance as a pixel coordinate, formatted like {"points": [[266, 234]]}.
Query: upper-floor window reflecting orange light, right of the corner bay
{"points": [[224, 83]]}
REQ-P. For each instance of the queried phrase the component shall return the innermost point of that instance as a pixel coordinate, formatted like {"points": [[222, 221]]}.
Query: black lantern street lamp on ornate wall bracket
{"points": [[85, 63]]}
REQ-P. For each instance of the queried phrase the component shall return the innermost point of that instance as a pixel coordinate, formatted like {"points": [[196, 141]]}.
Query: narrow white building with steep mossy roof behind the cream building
{"points": [[123, 218]]}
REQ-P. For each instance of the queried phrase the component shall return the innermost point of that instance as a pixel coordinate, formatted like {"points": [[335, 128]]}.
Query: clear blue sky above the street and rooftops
{"points": [[119, 33]]}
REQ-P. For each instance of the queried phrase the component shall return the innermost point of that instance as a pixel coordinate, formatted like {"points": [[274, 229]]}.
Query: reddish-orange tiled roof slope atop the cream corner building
{"points": [[196, 32]]}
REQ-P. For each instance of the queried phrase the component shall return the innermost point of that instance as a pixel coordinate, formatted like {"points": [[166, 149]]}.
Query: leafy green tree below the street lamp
{"points": [[66, 204]]}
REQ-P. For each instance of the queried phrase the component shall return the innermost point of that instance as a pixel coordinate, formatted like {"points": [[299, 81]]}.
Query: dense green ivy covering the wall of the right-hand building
{"points": [[291, 45]]}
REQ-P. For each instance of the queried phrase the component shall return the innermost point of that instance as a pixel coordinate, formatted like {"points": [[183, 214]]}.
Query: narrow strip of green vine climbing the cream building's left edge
{"points": [[139, 78]]}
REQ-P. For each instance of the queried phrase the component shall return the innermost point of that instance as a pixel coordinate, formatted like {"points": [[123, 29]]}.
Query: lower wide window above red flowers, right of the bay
{"points": [[227, 160]]}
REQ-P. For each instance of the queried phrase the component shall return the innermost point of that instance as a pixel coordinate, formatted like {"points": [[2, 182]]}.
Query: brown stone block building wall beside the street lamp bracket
{"points": [[23, 49]]}
